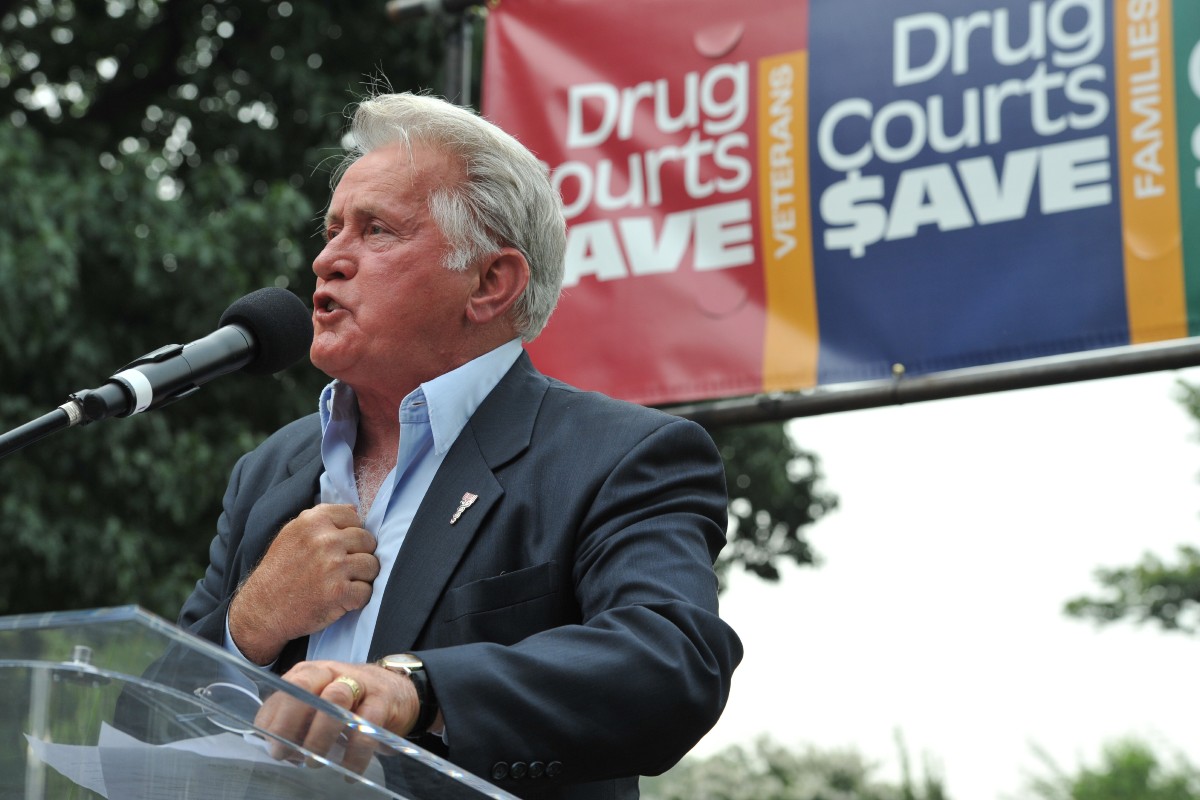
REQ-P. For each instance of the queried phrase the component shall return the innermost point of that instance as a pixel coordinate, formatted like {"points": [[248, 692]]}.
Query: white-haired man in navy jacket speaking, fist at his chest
{"points": [[512, 572]]}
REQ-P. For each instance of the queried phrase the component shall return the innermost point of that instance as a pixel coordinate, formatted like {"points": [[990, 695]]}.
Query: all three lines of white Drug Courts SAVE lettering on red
{"points": [[709, 157]]}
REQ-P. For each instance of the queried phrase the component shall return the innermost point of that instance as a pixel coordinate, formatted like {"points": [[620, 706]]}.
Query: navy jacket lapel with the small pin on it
{"points": [[499, 432]]}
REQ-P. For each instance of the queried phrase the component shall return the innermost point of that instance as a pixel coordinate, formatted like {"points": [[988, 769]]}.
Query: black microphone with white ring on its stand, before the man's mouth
{"points": [[263, 333]]}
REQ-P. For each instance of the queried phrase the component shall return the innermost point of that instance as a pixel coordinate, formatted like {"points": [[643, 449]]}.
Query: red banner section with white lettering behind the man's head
{"points": [[650, 115]]}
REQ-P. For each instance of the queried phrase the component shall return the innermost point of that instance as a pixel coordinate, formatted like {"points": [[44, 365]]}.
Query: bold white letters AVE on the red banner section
{"points": [[721, 237]]}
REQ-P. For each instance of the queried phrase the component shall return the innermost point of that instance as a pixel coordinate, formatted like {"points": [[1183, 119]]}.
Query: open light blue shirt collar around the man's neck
{"points": [[449, 400]]}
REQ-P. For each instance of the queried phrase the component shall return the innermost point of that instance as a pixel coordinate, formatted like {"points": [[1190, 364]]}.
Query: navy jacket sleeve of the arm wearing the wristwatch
{"points": [[645, 670]]}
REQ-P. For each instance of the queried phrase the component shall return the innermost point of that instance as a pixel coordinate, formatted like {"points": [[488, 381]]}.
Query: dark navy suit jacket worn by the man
{"points": [[568, 619]]}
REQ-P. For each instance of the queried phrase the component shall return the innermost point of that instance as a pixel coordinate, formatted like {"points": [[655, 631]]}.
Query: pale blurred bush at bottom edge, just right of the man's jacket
{"points": [[770, 772]]}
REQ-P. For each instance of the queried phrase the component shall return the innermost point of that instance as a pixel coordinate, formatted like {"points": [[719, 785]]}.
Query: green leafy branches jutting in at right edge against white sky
{"points": [[1154, 591]]}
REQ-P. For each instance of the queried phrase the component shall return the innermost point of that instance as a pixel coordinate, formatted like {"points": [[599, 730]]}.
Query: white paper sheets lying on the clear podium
{"points": [[223, 767]]}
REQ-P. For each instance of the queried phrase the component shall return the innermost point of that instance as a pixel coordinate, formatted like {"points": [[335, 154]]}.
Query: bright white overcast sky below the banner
{"points": [[964, 527]]}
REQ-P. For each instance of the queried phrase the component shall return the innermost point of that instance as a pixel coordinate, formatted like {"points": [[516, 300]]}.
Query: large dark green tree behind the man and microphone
{"points": [[160, 160]]}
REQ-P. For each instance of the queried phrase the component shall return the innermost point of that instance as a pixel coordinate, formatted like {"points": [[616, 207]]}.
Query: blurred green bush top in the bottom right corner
{"points": [[1129, 771]]}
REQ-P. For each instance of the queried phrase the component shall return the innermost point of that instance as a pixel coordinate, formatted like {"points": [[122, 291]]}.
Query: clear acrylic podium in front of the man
{"points": [[122, 705]]}
